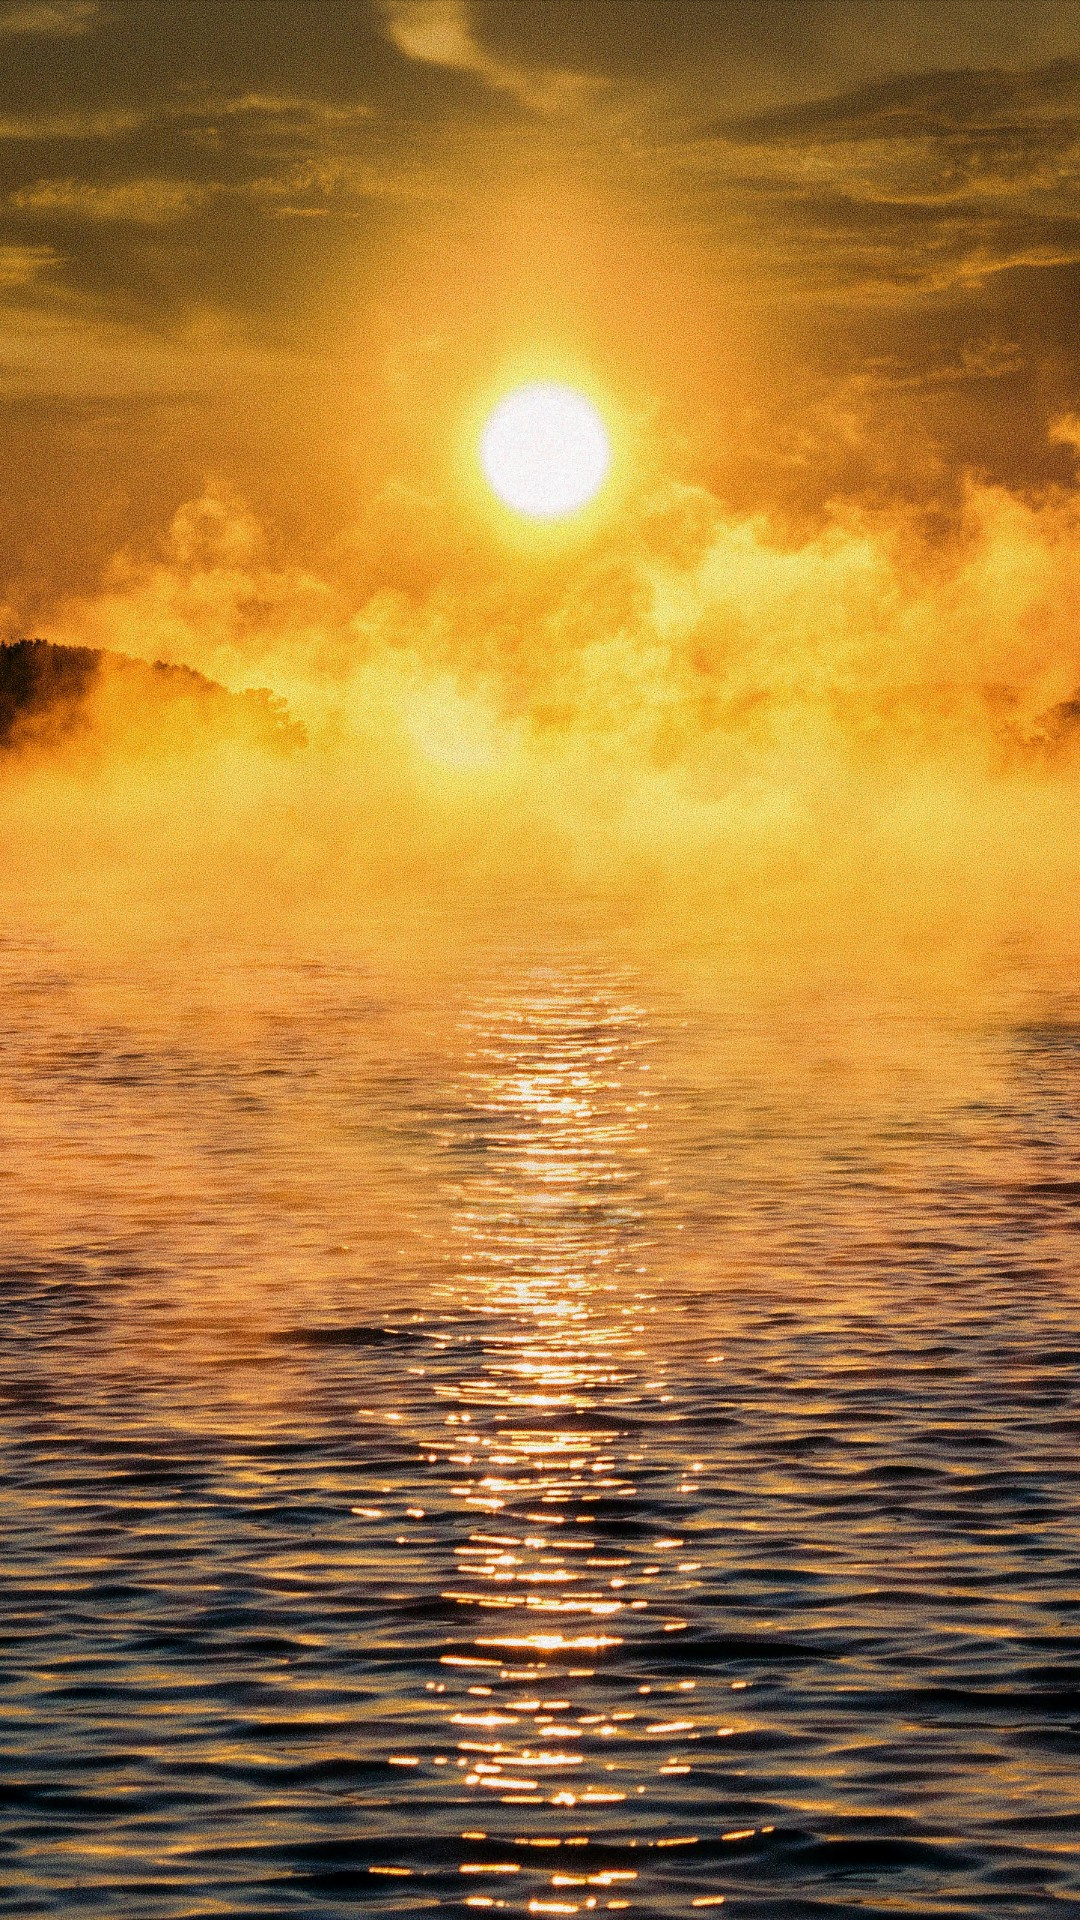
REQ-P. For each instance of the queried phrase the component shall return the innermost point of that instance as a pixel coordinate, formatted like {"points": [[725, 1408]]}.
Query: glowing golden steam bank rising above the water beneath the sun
{"points": [[858, 729]]}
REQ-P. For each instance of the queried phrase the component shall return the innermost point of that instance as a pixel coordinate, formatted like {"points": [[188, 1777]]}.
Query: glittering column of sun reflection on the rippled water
{"points": [[552, 1226]]}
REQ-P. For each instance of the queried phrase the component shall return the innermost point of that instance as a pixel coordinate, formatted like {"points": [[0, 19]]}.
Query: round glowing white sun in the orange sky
{"points": [[545, 452]]}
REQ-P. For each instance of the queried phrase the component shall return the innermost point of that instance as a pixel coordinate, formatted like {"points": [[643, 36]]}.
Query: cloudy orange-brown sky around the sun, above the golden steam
{"points": [[823, 249]]}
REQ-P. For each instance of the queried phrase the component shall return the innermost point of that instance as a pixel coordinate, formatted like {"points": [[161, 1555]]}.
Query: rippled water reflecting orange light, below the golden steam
{"points": [[543, 1439]]}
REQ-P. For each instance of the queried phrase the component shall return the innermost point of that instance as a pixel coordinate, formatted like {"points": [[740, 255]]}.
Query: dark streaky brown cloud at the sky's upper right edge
{"points": [[923, 181]]}
